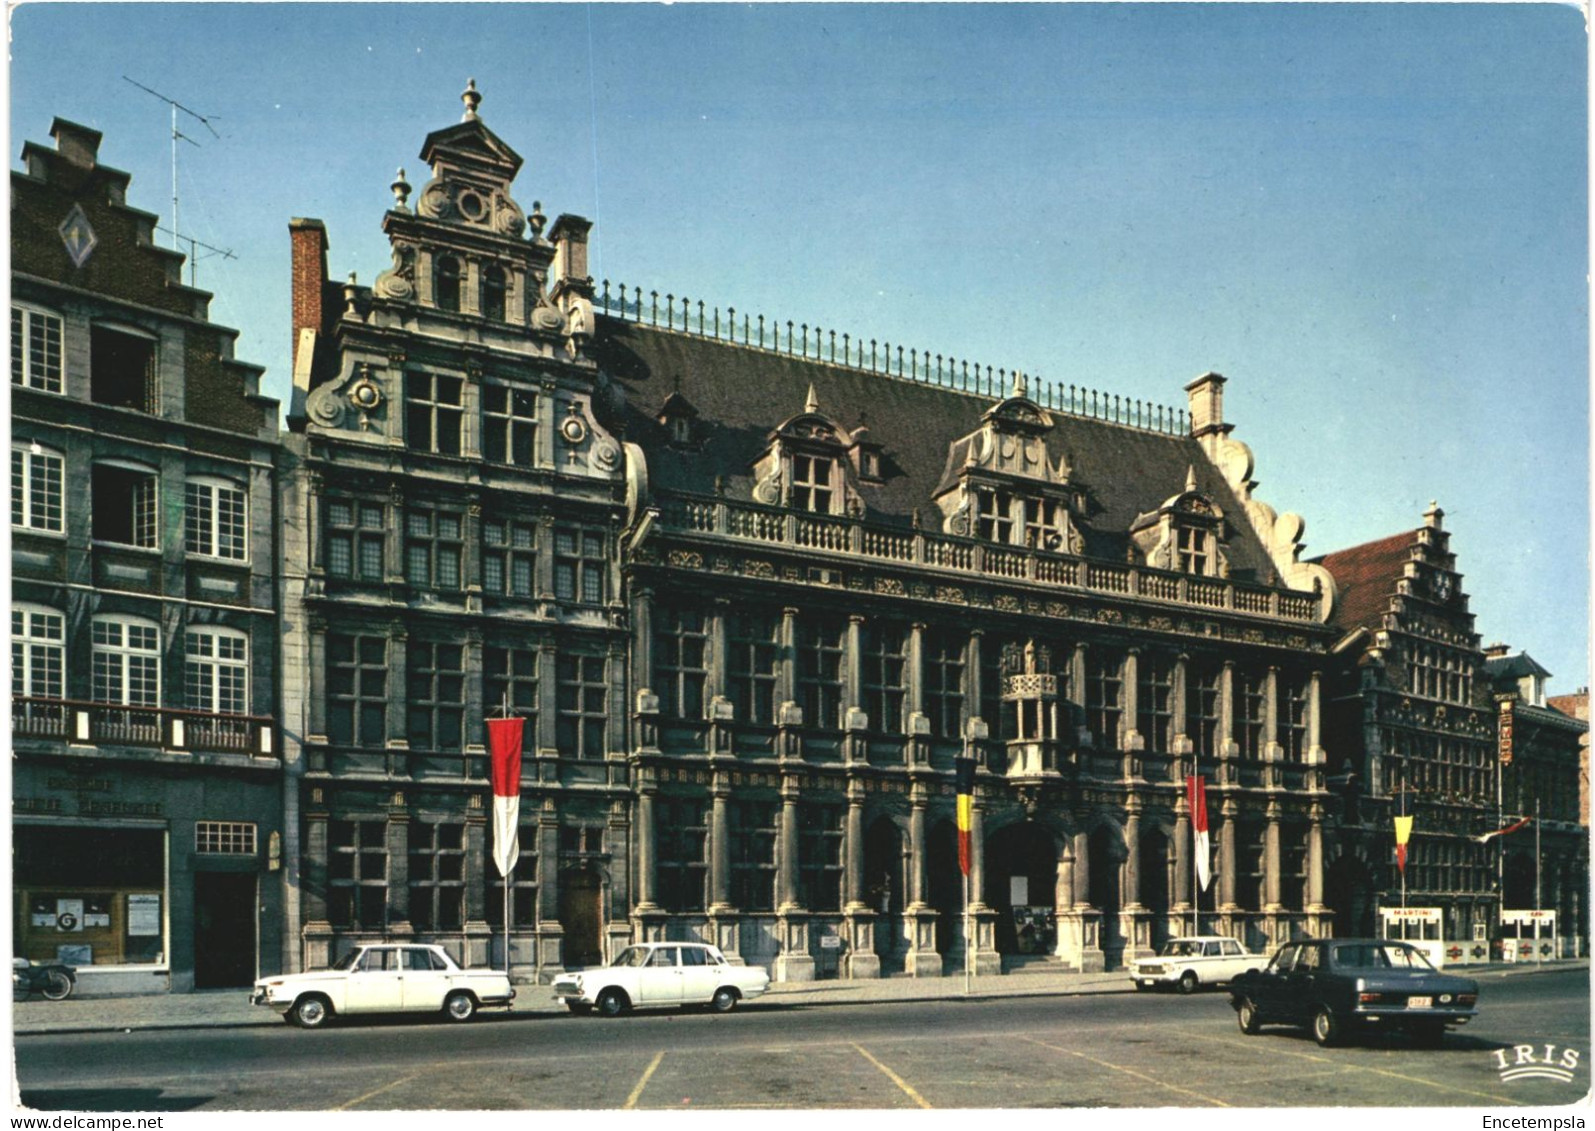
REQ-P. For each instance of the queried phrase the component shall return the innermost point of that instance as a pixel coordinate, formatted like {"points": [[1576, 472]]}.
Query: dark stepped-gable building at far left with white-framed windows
{"points": [[144, 626]]}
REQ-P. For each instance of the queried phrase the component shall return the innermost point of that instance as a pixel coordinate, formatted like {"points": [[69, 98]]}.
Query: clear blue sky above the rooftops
{"points": [[1371, 218]]}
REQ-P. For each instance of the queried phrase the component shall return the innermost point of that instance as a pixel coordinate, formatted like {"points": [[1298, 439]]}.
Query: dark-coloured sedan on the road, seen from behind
{"points": [[1360, 985]]}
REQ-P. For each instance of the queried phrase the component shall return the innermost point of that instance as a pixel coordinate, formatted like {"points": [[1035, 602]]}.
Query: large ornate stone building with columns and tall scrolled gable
{"points": [[754, 591]]}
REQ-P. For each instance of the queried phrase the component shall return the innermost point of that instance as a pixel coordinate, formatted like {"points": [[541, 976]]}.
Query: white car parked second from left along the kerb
{"points": [[658, 975]]}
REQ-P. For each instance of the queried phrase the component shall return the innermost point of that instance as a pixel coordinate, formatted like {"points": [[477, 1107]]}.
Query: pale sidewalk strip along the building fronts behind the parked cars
{"points": [[223, 1009]]}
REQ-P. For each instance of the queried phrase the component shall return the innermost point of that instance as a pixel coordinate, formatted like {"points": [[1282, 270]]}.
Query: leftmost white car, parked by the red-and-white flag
{"points": [[387, 979]]}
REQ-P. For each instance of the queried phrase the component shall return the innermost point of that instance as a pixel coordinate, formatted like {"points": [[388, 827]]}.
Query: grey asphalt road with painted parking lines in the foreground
{"points": [[1117, 1050]]}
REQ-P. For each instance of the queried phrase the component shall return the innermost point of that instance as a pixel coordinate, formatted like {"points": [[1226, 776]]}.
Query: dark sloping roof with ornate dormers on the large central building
{"points": [[742, 395]]}
